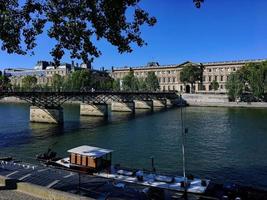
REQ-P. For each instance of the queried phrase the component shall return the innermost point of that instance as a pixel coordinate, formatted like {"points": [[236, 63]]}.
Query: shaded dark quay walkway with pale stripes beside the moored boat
{"points": [[71, 182]]}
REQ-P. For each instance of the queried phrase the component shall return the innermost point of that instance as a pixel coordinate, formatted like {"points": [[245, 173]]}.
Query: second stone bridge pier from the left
{"points": [[94, 109]]}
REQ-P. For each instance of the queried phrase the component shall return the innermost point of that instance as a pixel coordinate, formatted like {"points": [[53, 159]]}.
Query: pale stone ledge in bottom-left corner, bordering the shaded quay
{"points": [[39, 191]]}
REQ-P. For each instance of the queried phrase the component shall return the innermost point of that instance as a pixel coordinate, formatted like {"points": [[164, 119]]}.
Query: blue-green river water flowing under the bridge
{"points": [[223, 144]]}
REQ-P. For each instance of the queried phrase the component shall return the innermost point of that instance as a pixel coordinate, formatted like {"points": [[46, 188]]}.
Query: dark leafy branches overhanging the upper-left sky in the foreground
{"points": [[74, 25]]}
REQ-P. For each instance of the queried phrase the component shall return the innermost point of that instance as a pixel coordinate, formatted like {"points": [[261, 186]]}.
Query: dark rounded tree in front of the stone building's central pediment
{"points": [[191, 74]]}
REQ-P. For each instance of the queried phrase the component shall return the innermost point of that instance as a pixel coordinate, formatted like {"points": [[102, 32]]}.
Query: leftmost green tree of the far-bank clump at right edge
{"points": [[235, 85]]}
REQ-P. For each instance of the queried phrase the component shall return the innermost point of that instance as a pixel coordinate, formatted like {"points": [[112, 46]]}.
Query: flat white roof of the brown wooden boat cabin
{"points": [[94, 152]]}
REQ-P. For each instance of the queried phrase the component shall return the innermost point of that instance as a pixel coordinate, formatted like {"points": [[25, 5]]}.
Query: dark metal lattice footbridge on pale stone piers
{"points": [[47, 106]]}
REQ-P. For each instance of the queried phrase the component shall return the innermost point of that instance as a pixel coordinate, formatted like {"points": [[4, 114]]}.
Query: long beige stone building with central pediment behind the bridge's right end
{"points": [[169, 75]]}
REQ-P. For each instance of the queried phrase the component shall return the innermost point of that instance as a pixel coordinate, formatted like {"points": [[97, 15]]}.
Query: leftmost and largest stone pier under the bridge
{"points": [[43, 115]]}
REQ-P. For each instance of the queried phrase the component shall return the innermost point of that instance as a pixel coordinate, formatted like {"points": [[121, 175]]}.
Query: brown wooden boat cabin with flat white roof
{"points": [[90, 158]]}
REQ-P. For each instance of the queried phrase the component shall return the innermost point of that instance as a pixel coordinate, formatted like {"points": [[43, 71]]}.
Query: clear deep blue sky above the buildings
{"points": [[219, 31]]}
